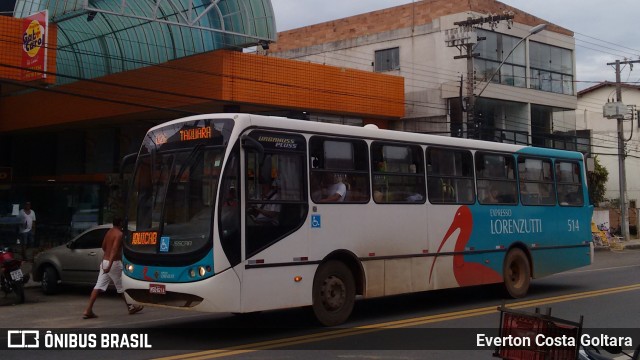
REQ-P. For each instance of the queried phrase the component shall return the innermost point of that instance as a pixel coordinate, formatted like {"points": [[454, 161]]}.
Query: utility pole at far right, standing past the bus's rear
{"points": [[618, 111]]}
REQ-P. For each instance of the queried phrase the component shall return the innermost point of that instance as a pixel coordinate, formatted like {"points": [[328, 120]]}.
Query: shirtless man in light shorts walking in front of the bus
{"points": [[110, 269]]}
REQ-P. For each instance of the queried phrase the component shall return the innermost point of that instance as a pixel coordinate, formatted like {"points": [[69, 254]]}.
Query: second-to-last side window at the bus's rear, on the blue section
{"points": [[536, 181]]}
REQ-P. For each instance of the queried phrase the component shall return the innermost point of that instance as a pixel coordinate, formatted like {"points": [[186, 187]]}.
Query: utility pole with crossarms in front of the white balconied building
{"points": [[465, 38]]}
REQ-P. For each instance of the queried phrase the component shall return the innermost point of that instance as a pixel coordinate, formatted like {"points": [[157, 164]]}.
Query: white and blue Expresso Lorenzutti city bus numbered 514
{"points": [[243, 213]]}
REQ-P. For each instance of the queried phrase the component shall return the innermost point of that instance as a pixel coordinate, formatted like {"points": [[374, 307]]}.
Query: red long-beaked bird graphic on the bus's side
{"points": [[466, 273]]}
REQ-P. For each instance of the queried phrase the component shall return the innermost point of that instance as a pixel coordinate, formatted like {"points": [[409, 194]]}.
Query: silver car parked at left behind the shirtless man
{"points": [[76, 262]]}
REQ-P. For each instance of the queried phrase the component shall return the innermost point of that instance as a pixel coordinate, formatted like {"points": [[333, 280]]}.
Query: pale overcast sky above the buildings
{"points": [[605, 31]]}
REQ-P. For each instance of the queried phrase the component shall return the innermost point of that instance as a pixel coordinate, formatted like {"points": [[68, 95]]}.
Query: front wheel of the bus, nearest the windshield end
{"points": [[334, 293]]}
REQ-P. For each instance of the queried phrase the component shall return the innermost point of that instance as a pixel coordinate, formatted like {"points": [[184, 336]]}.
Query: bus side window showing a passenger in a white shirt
{"points": [[339, 170]]}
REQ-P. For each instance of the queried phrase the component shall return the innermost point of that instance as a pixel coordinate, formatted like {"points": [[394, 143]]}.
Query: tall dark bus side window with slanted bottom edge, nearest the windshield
{"points": [[276, 200]]}
